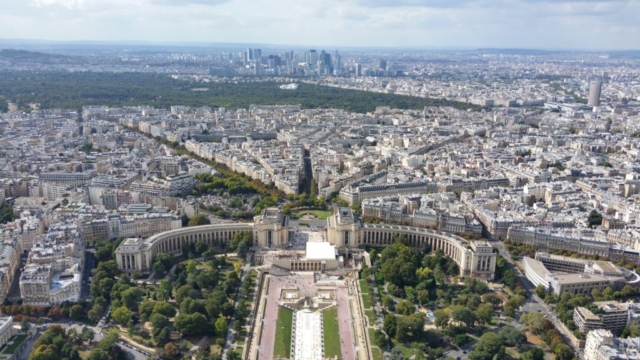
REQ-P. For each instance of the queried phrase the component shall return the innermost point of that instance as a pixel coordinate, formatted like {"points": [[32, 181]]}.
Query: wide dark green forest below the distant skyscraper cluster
{"points": [[74, 90]]}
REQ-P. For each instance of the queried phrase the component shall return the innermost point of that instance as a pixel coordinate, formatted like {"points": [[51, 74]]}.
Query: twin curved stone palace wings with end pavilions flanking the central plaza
{"points": [[271, 230]]}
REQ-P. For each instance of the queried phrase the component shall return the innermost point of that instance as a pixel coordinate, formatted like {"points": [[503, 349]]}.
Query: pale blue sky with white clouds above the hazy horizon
{"points": [[540, 24]]}
